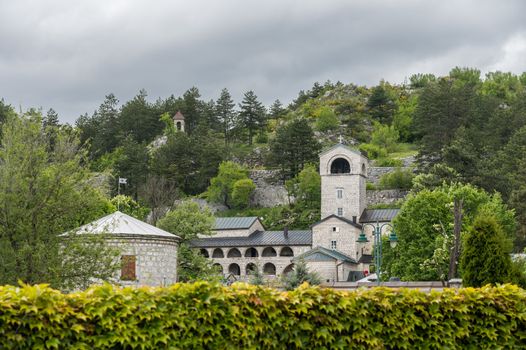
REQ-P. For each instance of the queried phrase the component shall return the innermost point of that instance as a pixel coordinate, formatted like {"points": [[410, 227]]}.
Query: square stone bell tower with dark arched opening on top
{"points": [[343, 173]]}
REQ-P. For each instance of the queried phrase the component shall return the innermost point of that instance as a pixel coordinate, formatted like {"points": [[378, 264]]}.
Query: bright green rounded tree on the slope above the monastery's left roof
{"points": [[222, 186]]}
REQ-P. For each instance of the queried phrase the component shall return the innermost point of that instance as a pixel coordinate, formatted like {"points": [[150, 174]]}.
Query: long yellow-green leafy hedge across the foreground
{"points": [[201, 315]]}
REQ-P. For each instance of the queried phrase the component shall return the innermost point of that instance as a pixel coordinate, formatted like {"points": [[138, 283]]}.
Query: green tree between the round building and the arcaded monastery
{"points": [[188, 221]]}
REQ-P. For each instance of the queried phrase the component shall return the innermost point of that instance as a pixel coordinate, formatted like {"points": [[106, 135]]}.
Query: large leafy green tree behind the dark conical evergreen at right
{"points": [[426, 218]]}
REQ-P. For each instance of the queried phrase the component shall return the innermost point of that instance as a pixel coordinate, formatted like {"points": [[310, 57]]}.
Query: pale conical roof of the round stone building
{"points": [[121, 224]]}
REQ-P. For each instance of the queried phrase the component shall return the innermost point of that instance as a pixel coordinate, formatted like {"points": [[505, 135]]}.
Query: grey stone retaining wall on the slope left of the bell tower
{"points": [[270, 190]]}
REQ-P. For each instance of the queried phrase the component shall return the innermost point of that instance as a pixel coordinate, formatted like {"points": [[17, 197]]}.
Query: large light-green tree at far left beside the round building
{"points": [[44, 194]]}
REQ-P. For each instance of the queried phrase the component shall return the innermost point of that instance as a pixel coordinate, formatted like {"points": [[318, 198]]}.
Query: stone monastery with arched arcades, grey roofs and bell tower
{"points": [[330, 247]]}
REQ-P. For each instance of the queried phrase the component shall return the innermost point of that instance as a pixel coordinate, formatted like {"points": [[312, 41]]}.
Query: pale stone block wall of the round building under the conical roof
{"points": [[156, 259]]}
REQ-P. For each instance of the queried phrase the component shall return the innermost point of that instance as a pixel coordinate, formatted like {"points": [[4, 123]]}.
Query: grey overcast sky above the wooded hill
{"points": [[69, 54]]}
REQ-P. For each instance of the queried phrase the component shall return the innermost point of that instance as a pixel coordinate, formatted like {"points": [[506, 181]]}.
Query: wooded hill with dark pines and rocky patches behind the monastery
{"points": [[462, 127]]}
